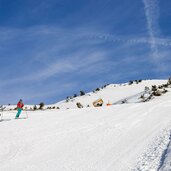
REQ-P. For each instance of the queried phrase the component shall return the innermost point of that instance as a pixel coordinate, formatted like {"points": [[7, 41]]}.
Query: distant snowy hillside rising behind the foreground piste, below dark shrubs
{"points": [[113, 93]]}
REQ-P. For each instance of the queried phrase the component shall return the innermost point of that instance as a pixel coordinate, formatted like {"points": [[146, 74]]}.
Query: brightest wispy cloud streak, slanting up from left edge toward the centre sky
{"points": [[79, 61]]}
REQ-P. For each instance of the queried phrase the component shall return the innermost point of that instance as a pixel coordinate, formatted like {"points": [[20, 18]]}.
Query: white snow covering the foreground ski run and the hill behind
{"points": [[123, 137]]}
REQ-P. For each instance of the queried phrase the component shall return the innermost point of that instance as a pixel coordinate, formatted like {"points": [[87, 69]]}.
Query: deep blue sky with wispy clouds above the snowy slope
{"points": [[51, 49]]}
